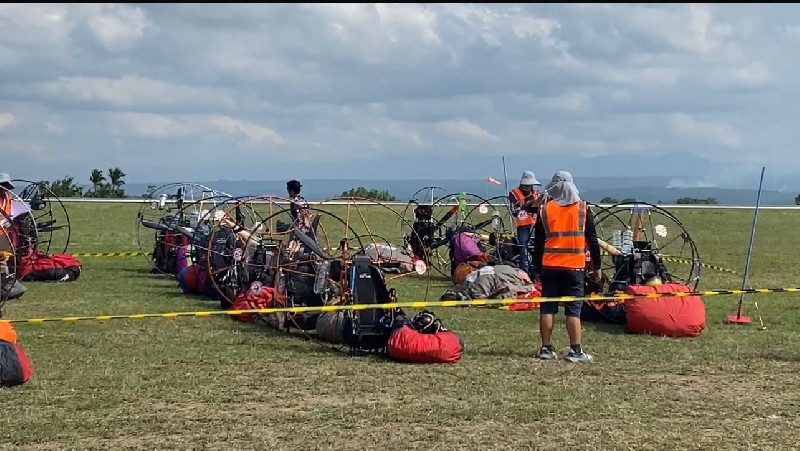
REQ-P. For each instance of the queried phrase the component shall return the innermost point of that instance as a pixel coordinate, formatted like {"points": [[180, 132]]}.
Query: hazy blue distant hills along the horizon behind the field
{"points": [[646, 189]]}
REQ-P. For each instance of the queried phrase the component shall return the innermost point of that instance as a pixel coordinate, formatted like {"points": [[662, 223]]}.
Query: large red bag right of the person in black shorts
{"points": [[671, 316]]}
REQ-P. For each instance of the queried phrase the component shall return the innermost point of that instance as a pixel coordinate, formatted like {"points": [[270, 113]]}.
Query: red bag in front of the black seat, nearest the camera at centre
{"points": [[411, 346]]}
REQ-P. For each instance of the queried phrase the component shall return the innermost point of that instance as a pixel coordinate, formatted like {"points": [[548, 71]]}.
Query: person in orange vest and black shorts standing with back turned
{"points": [[563, 231]]}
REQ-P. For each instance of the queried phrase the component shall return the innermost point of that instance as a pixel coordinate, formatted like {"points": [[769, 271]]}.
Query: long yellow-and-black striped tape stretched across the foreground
{"points": [[396, 305]]}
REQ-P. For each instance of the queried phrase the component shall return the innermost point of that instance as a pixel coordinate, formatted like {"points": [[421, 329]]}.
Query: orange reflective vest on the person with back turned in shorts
{"points": [[564, 235]]}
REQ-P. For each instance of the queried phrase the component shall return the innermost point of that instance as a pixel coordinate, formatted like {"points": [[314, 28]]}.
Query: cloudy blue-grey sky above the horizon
{"points": [[206, 92]]}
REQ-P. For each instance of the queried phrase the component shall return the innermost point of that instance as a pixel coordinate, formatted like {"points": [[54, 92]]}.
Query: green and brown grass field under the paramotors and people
{"points": [[219, 384]]}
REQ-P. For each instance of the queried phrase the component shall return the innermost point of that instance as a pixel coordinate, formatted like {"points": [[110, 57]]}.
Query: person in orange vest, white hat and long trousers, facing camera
{"points": [[524, 202]]}
